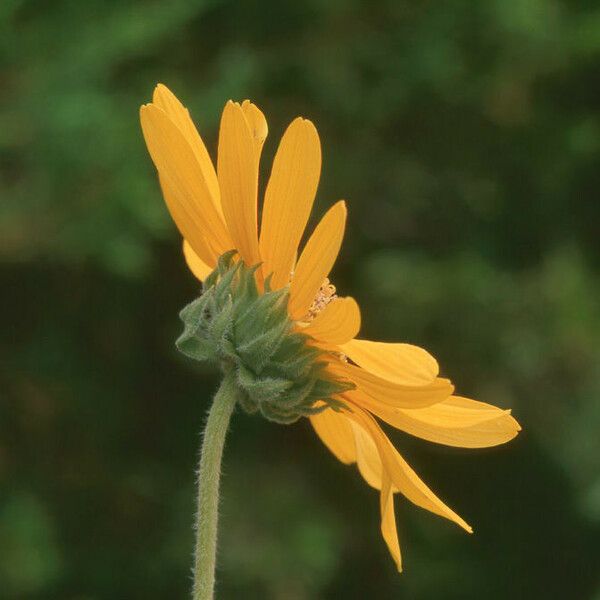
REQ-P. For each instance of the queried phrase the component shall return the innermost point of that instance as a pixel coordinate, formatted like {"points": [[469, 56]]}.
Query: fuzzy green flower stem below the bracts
{"points": [[208, 487]]}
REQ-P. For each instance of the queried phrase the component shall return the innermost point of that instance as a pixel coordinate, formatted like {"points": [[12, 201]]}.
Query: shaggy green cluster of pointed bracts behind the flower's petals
{"points": [[234, 326]]}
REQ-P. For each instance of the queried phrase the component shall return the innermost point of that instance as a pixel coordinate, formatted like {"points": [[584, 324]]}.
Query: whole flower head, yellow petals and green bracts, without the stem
{"points": [[270, 312]]}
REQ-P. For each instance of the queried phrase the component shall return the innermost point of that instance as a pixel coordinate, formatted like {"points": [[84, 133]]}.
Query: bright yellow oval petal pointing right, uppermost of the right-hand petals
{"points": [[400, 363]]}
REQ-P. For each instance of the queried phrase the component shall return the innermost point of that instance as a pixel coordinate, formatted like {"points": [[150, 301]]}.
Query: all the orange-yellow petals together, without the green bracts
{"points": [[216, 211]]}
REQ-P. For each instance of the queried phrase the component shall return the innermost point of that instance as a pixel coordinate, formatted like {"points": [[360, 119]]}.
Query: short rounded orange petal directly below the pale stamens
{"points": [[337, 323]]}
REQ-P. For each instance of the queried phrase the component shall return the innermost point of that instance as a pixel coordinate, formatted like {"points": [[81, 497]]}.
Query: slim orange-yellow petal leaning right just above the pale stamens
{"points": [[316, 260]]}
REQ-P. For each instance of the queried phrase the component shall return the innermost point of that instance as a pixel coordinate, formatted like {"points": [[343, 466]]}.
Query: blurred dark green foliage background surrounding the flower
{"points": [[466, 138]]}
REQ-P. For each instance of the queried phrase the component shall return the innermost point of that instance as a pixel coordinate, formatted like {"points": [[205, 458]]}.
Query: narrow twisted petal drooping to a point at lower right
{"points": [[403, 478]]}
